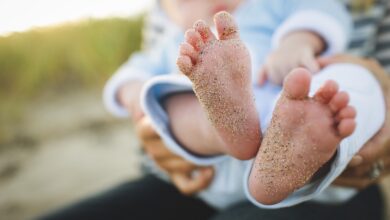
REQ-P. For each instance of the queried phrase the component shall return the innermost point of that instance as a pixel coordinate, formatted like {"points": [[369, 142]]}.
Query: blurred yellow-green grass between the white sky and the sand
{"points": [[57, 59]]}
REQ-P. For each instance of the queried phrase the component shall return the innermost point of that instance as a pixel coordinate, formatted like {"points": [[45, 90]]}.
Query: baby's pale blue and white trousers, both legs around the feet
{"points": [[365, 95]]}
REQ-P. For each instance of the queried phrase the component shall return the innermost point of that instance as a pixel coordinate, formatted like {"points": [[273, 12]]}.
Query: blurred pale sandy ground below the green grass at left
{"points": [[71, 149]]}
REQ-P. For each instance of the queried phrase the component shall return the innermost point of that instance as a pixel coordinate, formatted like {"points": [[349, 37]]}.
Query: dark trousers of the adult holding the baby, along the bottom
{"points": [[152, 198]]}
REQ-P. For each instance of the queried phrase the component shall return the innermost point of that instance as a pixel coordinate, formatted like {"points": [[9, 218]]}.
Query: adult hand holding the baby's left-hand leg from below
{"points": [[187, 177]]}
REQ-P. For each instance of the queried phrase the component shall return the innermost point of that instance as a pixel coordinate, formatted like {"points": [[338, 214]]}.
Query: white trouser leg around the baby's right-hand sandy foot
{"points": [[367, 98]]}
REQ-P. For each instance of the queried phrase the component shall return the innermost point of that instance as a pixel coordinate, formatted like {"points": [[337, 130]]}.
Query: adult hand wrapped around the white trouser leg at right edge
{"points": [[375, 154]]}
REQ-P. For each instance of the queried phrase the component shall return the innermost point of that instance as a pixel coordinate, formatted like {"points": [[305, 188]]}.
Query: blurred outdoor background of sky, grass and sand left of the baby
{"points": [[57, 142]]}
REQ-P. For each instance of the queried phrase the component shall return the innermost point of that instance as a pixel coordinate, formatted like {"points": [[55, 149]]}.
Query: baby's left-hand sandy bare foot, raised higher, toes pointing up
{"points": [[220, 70]]}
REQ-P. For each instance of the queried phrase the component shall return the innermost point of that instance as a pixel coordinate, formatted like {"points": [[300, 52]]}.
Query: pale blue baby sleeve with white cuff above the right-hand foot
{"points": [[328, 19]]}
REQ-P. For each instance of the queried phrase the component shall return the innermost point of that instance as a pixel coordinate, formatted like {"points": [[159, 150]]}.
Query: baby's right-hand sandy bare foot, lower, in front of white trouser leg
{"points": [[303, 135]]}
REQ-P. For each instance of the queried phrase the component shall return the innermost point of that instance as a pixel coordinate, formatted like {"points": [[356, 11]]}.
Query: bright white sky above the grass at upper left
{"points": [[21, 15]]}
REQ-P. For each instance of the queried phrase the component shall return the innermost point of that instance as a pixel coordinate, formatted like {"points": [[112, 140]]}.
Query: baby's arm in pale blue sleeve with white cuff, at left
{"points": [[140, 67]]}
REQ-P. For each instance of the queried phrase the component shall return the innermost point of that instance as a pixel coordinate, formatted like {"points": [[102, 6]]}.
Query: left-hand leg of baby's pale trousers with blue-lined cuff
{"points": [[227, 186]]}
